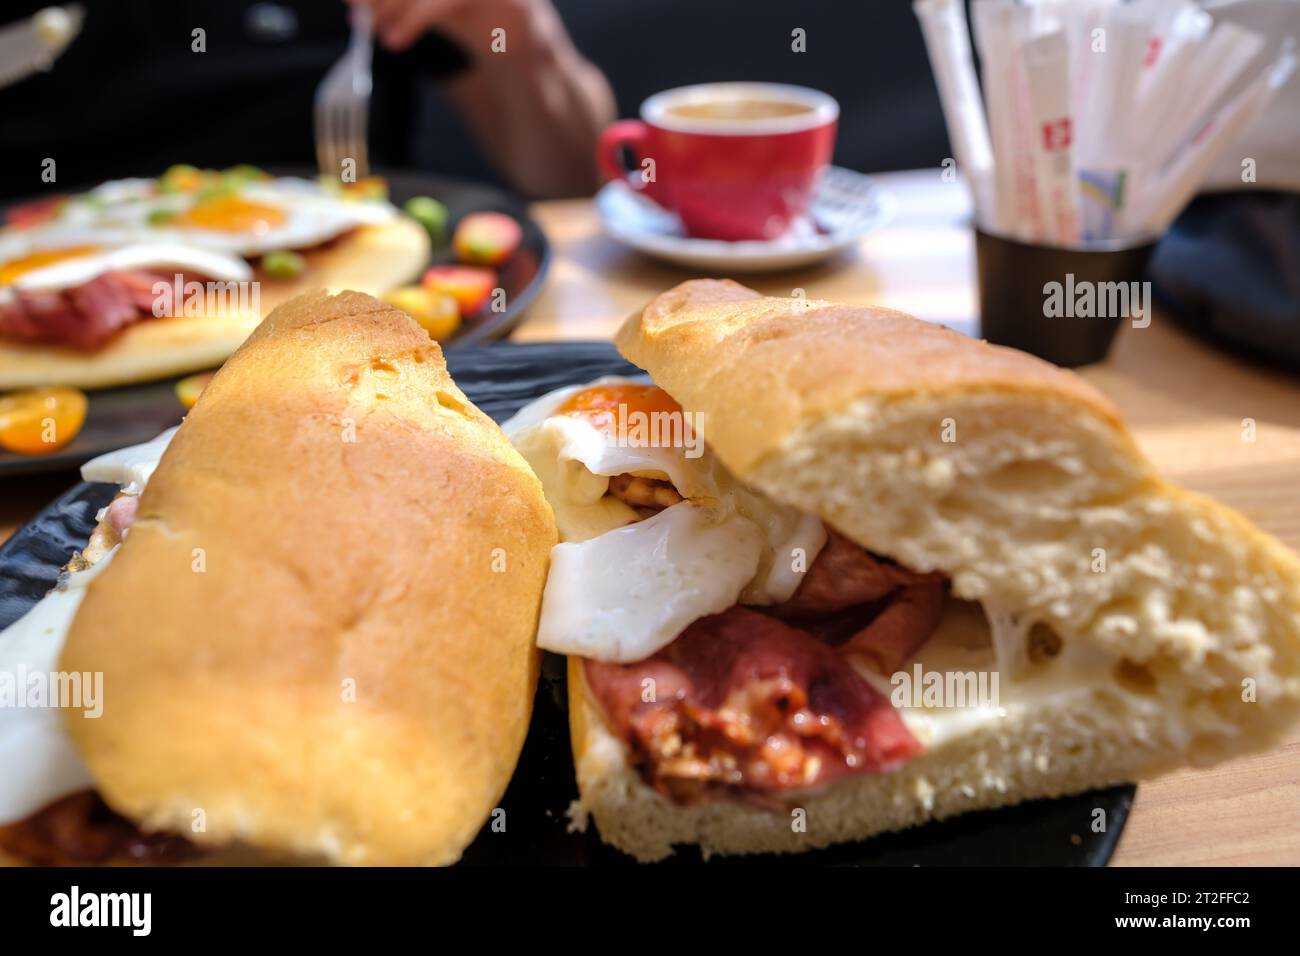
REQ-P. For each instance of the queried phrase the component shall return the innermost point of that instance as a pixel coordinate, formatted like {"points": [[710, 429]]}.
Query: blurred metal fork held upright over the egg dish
{"points": [[343, 107]]}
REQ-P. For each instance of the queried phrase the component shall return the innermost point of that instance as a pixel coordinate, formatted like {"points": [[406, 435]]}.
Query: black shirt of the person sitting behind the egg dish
{"points": [[132, 96]]}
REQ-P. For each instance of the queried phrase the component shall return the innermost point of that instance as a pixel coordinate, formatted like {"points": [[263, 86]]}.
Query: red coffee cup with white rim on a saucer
{"points": [[734, 161]]}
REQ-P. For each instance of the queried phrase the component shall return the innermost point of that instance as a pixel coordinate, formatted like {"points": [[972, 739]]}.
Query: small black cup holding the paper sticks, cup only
{"points": [[1063, 305]]}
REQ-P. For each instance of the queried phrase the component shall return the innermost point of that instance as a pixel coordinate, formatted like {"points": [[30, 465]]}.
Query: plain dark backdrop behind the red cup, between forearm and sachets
{"points": [[869, 55]]}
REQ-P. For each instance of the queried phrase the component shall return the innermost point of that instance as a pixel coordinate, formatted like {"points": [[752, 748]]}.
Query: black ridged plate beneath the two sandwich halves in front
{"points": [[500, 380]]}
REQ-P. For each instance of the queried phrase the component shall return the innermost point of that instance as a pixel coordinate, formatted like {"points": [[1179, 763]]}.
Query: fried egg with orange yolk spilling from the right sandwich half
{"points": [[622, 589]]}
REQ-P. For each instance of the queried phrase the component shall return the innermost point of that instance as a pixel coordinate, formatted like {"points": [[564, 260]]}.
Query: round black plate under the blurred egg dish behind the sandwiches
{"points": [[132, 414]]}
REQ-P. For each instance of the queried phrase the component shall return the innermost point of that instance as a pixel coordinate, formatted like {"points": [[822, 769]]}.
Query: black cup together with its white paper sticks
{"points": [[1091, 127]]}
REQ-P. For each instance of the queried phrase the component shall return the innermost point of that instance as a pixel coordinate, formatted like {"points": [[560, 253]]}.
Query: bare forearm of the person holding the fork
{"points": [[536, 109]]}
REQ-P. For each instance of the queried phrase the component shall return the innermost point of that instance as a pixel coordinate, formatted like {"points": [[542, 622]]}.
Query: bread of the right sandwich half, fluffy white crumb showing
{"points": [[1020, 482]]}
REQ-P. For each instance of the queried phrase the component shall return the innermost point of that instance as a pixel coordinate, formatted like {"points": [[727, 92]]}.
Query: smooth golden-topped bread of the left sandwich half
{"points": [[318, 635]]}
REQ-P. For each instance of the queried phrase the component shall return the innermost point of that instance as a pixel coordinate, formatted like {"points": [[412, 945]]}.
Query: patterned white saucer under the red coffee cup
{"points": [[846, 206]]}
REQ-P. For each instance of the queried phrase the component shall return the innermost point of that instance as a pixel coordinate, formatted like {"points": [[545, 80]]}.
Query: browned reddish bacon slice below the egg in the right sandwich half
{"points": [[744, 706]]}
